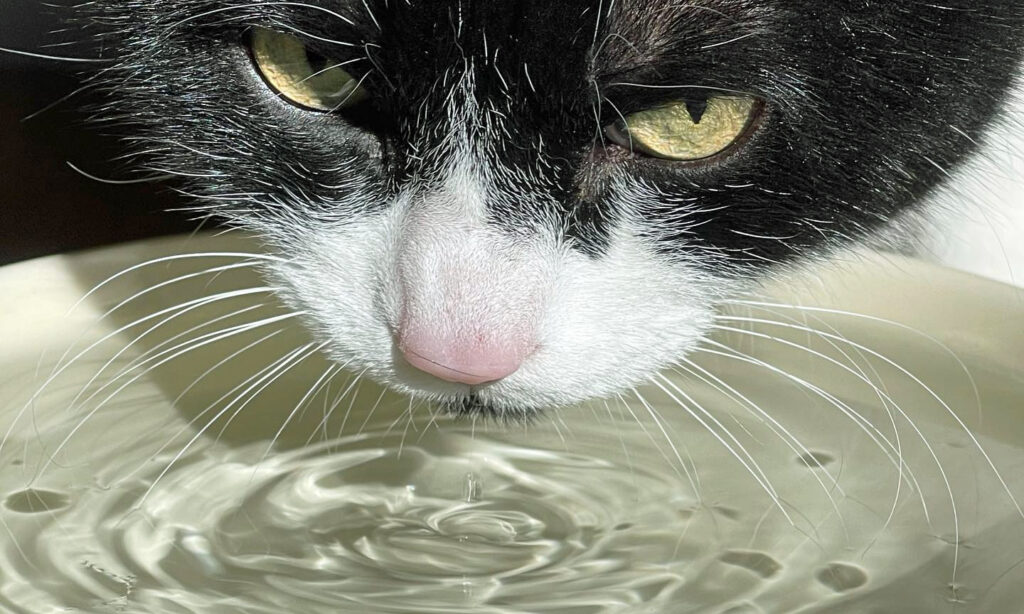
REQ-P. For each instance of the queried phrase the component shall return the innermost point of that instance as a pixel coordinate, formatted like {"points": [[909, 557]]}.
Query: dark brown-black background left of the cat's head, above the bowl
{"points": [[47, 207]]}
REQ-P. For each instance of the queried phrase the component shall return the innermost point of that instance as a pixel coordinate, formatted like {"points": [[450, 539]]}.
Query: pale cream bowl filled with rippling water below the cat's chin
{"points": [[181, 490]]}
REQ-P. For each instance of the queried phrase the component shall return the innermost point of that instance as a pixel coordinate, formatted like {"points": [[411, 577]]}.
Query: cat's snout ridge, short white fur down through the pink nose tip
{"points": [[471, 301]]}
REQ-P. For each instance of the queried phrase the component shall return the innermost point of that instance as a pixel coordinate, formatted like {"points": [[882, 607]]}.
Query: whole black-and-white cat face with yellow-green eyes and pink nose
{"points": [[511, 206]]}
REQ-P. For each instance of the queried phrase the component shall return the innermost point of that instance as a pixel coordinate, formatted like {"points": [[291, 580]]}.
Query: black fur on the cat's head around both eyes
{"points": [[869, 105]]}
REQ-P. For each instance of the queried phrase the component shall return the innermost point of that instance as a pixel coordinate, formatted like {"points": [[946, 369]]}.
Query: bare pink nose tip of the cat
{"points": [[461, 362]]}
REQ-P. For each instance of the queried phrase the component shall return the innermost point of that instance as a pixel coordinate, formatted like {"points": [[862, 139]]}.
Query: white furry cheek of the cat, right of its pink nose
{"points": [[611, 326]]}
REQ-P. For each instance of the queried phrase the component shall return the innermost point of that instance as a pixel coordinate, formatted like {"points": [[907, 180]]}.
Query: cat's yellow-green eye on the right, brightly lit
{"points": [[688, 131]]}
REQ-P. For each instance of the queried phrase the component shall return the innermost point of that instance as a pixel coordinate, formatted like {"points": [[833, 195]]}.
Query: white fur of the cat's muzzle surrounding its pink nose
{"points": [[603, 325]]}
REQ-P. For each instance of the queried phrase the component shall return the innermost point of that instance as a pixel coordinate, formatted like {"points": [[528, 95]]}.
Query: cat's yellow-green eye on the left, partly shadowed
{"points": [[302, 76]]}
